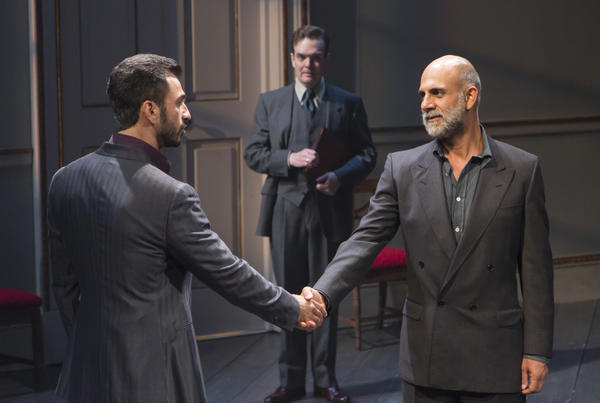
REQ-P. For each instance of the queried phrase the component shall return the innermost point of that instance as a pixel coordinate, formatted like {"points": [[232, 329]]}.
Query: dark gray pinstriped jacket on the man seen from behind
{"points": [[125, 239]]}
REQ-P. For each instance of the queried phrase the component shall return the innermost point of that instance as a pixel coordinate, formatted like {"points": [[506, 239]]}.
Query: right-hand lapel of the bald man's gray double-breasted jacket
{"points": [[492, 184]]}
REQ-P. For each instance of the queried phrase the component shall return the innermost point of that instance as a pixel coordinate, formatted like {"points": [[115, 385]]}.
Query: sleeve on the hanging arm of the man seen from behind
{"points": [[64, 283]]}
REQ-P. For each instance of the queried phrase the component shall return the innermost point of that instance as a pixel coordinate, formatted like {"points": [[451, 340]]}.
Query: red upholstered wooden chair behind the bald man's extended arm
{"points": [[390, 265]]}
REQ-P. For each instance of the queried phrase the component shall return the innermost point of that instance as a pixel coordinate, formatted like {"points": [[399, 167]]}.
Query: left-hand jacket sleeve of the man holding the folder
{"points": [[260, 155]]}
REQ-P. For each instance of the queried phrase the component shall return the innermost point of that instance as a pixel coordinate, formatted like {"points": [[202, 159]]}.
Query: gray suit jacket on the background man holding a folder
{"points": [[267, 152]]}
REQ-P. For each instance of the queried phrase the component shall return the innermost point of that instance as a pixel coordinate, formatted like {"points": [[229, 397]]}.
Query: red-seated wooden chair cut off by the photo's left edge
{"points": [[21, 307]]}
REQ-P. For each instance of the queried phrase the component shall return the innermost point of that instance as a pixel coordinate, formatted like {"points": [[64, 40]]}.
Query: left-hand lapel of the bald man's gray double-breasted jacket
{"points": [[428, 178]]}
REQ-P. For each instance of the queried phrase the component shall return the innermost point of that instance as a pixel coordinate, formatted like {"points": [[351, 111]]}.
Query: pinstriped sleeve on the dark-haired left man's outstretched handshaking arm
{"points": [[196, 247]]}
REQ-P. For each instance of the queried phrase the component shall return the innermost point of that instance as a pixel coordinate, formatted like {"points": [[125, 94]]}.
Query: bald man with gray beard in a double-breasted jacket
{"points": [[473, 215]]}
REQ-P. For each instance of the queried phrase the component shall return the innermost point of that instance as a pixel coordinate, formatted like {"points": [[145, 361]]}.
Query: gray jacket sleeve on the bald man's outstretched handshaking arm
{"points": [[354, 256]]}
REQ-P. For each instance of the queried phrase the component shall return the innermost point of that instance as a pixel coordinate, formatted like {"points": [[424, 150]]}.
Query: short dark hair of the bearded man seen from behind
{"points": [[136, 79]]}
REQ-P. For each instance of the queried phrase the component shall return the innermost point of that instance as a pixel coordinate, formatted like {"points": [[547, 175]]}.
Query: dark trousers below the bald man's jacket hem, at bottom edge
{"points": [[421, 394]]}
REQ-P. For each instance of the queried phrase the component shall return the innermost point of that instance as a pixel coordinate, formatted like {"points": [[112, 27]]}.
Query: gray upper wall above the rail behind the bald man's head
{"points": [[536, 59]]}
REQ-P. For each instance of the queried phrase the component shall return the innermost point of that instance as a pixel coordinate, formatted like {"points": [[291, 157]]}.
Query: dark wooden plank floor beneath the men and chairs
{"points": [[244, 369]]}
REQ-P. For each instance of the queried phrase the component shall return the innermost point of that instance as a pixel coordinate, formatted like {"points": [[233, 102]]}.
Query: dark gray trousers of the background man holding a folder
{"points": [[300, 253]]}
